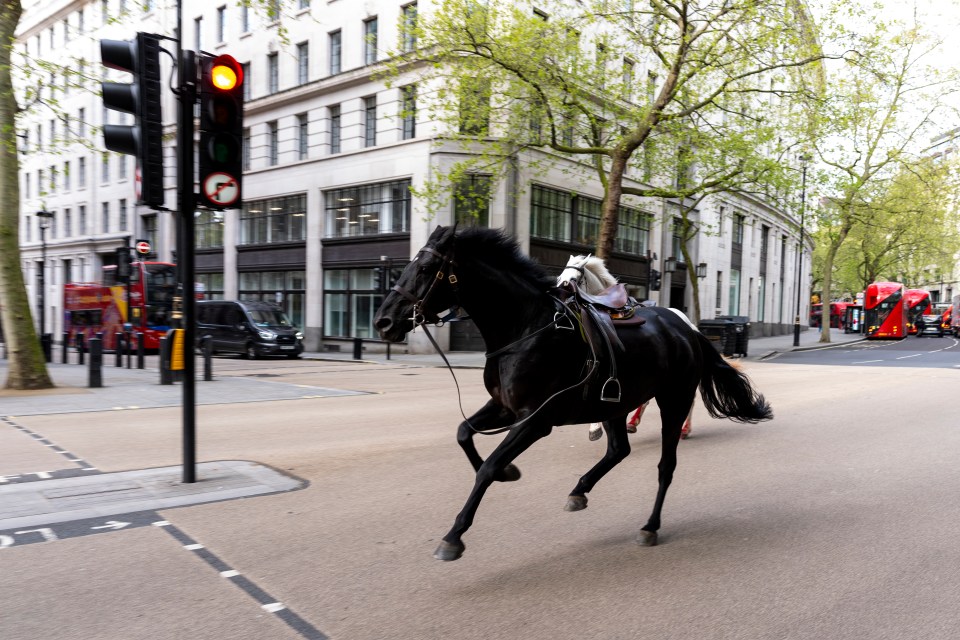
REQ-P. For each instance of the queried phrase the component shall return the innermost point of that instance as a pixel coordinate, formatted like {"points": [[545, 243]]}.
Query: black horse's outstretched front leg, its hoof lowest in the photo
{"points": [[516, 442]]}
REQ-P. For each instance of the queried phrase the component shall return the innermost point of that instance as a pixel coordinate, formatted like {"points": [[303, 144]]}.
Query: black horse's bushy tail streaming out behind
{"points": [[726, 391]]}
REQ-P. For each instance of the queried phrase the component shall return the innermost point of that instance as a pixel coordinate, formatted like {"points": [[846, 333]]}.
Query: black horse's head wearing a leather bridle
{"points": [[423, 289]]}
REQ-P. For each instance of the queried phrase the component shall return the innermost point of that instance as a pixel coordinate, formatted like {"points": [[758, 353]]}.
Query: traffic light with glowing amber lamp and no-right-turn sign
{"points": [[221, 131]]}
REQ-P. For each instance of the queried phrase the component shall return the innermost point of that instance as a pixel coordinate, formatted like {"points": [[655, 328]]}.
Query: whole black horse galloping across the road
{"points": [[541, 372]]}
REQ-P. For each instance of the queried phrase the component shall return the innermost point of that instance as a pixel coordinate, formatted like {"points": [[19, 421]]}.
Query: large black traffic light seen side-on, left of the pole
{"points": [[143, 139]]}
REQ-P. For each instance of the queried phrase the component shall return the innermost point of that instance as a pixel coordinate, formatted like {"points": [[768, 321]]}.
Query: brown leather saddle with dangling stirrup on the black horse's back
{"points": [[600, 314]]}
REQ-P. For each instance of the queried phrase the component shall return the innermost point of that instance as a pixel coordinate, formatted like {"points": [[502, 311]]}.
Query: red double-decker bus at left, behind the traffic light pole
{"points": [[94, 307]]}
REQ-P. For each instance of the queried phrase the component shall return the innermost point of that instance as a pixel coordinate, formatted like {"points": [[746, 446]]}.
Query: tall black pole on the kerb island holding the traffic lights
{"points": [[185, 259]]}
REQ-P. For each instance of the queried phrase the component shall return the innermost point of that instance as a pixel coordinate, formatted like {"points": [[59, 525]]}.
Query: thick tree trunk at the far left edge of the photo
{"points": [[26, 367]]}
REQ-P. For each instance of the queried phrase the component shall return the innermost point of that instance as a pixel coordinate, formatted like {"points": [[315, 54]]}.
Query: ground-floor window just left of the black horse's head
{"points": [[351, 297]]}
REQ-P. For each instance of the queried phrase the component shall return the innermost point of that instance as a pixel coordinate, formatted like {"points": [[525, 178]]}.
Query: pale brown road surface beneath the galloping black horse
{"points": [[835, 520]]}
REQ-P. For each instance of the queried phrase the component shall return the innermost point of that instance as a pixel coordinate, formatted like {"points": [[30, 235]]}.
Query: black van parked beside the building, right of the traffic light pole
{"points": [[250, 328]]}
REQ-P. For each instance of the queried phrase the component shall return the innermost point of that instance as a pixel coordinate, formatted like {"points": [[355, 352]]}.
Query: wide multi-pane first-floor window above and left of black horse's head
{"points": [[368, 210]]}
